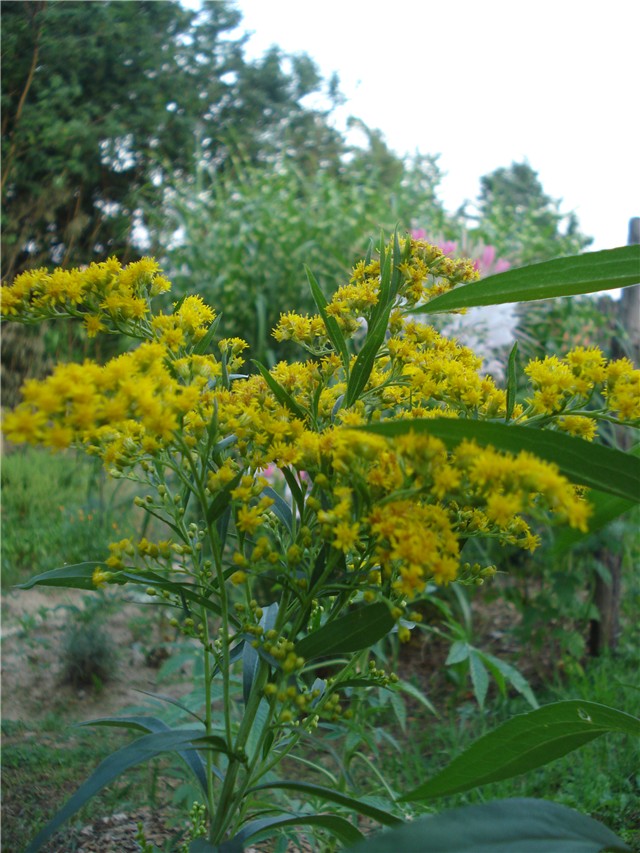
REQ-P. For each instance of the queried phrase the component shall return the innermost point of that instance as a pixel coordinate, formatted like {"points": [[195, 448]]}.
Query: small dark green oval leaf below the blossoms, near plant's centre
{"points": [[357, 630]]}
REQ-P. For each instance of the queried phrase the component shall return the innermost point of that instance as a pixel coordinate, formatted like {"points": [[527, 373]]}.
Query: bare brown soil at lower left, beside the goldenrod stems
{"points": [[33, 626]]}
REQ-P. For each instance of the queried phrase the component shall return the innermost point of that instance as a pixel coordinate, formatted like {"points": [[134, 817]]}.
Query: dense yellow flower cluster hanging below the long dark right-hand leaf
{"points": [[423, 498]]}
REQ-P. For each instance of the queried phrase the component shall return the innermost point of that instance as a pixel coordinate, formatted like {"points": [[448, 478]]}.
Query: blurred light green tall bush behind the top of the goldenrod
{"points": [[241, 236]]}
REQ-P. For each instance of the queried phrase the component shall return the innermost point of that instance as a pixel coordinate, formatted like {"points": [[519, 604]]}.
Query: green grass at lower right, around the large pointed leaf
{"points": [[601, 779]]}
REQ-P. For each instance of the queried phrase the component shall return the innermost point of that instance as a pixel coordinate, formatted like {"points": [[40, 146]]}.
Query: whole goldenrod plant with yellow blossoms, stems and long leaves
{"points": [[395, 451]]}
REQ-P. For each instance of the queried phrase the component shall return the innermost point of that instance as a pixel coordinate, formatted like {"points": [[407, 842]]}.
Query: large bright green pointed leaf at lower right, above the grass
{"points": [[525, 742]]}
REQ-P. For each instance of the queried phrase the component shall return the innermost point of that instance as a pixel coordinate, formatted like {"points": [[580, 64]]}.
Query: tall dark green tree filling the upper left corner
{"points": [[103, 101]]}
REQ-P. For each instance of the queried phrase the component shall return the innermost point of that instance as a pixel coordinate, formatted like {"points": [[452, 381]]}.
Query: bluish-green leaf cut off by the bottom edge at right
{"points": [[520, 825]]}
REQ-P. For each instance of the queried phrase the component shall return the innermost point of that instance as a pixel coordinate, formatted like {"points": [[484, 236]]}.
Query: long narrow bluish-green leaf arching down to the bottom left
{"points": [[114, 765]]}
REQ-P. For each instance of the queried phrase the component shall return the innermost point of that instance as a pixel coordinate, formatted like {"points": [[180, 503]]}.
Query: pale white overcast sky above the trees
{"points": [[484, 84]]}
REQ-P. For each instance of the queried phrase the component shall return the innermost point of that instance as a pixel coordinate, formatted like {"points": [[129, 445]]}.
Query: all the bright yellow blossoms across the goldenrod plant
{"points": [[392, 510]]}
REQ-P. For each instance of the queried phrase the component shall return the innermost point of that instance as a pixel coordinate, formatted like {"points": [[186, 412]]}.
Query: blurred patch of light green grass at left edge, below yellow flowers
{"points": [[56, 509]]}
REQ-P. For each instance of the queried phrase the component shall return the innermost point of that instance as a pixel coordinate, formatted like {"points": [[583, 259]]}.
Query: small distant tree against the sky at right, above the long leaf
{"points": [[525, 225]]}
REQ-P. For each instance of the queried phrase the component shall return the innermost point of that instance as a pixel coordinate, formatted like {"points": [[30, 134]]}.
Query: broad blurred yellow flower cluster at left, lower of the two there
{"points": [[128, 408]]}
